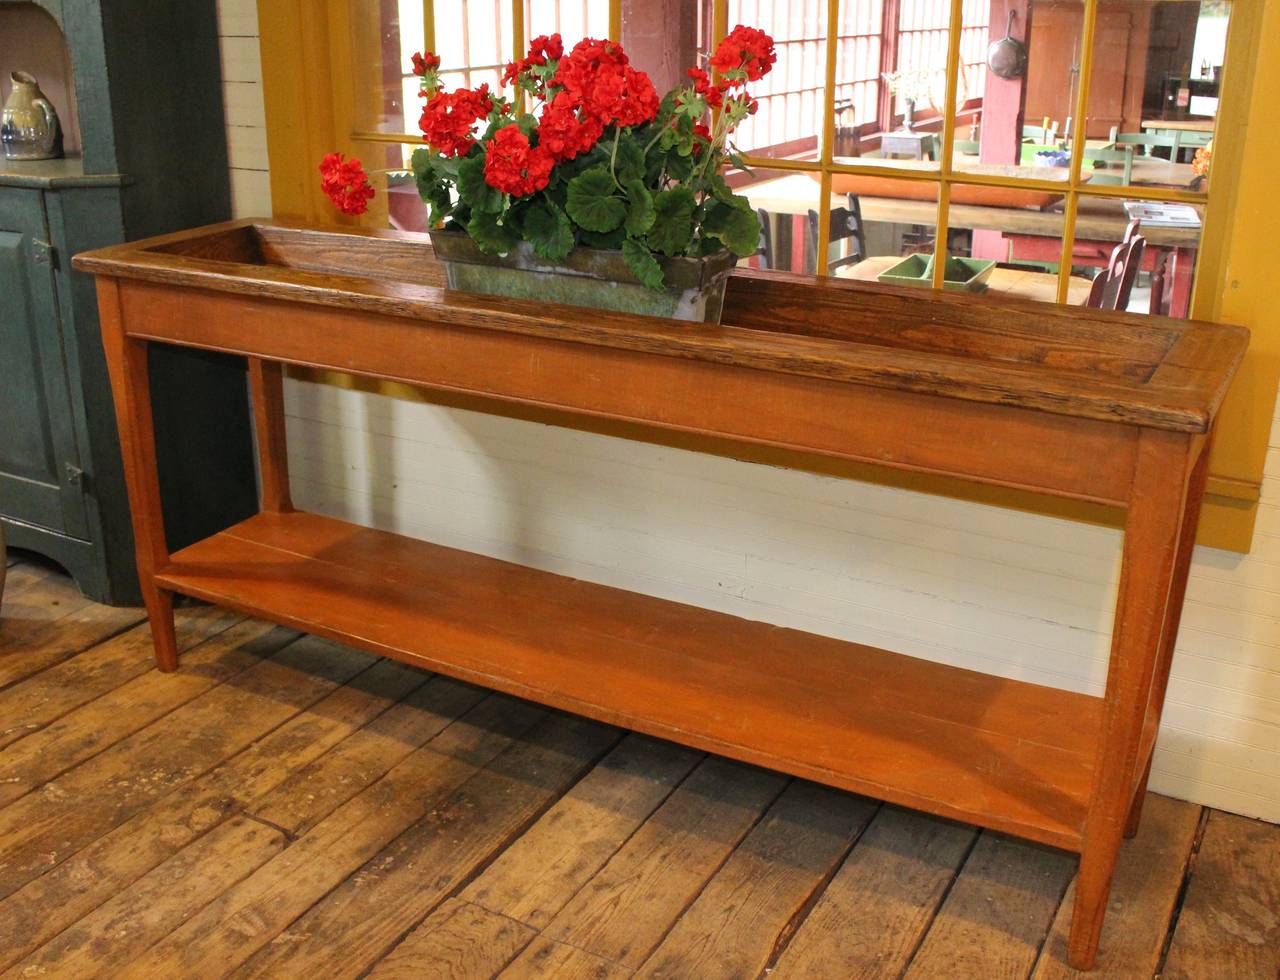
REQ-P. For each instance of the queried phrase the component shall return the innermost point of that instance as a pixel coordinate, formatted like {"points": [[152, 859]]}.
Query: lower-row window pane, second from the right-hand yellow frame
{"points": [[1008, 248]]}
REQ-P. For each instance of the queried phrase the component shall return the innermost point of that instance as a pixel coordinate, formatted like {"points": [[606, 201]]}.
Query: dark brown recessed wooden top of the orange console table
{"points": [[1114, 368]]}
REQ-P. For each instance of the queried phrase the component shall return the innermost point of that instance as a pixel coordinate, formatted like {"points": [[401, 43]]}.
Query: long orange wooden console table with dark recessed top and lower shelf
{"points": [[1067, 402]]}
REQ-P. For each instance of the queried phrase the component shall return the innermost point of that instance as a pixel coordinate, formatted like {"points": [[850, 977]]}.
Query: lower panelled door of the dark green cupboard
{"points": [[40, 477]]}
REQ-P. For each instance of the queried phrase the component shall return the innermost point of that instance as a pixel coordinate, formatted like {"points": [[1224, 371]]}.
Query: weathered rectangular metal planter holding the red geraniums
{"points": [[589, 277]]}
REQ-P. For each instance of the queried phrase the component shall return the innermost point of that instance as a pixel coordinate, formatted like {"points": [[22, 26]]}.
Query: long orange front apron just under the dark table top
{"points": [[994, 445]]}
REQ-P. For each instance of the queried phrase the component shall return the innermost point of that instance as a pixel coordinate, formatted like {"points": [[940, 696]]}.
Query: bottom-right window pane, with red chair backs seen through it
{"points": [[1172, 236]]}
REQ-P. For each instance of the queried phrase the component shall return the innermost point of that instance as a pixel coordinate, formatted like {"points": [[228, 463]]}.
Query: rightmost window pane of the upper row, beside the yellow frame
{"points": [[1155, 90]]}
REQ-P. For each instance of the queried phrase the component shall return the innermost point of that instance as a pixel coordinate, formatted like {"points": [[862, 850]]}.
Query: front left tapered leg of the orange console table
{"points": [[131, 387]]}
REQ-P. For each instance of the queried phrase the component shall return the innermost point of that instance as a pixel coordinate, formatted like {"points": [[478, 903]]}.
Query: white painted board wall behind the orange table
{"points": [[1014, 594]]}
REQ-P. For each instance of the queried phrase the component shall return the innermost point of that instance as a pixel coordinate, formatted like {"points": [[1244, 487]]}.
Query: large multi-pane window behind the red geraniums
{"points": [[894, 121]]}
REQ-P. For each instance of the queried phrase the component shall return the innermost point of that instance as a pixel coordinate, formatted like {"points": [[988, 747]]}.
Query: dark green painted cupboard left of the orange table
{"points": [[148, 154]]}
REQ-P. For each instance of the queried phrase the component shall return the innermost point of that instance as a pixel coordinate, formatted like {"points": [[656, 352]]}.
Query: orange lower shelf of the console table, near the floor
{"points": [[993, 752]]}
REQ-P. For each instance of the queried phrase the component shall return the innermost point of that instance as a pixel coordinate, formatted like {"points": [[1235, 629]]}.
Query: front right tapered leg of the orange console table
{"points": [[1149, 571]]}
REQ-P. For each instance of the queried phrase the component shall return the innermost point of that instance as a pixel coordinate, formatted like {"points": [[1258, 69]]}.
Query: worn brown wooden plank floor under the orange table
{"points": [[286, 808]]}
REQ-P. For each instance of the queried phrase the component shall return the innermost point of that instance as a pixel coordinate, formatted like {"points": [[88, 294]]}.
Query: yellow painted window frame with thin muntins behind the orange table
{"points": [[310, 111]]}
